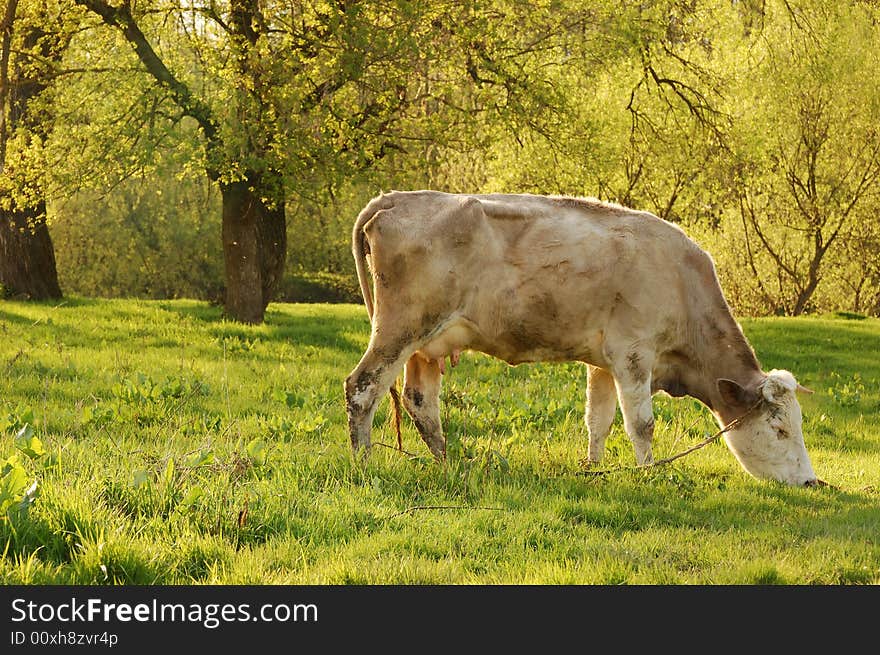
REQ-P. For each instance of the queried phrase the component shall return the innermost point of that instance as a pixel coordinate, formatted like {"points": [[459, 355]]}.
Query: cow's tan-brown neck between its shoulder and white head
{"points": [[725, 353]]}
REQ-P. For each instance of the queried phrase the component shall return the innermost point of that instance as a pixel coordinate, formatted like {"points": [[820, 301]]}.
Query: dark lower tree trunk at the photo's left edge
{"points": [[27, 259]]}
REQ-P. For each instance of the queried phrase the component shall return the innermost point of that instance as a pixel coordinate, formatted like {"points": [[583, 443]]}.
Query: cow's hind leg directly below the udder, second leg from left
{"points": [[421, 398]]}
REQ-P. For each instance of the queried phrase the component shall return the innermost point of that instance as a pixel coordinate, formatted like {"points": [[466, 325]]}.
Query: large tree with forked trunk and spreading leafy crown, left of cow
{"points": [[294, 99]]}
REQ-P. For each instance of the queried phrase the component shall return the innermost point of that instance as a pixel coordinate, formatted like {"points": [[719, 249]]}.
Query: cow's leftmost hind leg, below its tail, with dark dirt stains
{"points": [[365, 386]]}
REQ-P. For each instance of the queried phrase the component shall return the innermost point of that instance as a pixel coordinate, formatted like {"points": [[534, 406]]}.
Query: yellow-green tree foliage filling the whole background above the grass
{"points": [[753, 125]]}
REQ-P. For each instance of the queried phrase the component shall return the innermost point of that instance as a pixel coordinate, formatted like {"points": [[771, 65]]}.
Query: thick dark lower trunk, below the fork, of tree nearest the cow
{"points": [[254, 248]]}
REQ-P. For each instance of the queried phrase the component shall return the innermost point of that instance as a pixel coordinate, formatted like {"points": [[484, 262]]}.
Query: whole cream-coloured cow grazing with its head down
{"points": [[531, 278]]}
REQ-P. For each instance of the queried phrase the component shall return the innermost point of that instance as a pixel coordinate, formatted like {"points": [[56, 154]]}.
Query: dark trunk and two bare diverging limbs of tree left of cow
{"points": [[254, 223]]}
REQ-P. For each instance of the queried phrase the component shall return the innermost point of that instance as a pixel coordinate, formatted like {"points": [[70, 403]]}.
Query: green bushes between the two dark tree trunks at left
{"points": [[158, 239]]}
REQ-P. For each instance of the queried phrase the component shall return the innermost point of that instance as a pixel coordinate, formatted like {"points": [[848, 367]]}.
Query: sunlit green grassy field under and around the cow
{"points": [[155, 443]]}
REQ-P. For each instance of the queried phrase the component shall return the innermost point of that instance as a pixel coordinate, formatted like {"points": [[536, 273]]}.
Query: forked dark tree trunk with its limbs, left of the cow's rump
{"points": [[238, 155]]}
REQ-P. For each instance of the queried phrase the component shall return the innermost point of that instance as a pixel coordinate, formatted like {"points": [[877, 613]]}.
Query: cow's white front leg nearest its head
{"points": [[633, 381]]}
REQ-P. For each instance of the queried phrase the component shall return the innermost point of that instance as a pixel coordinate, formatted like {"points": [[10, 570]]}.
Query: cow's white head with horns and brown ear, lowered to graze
{"points": [[768, 441]]}
